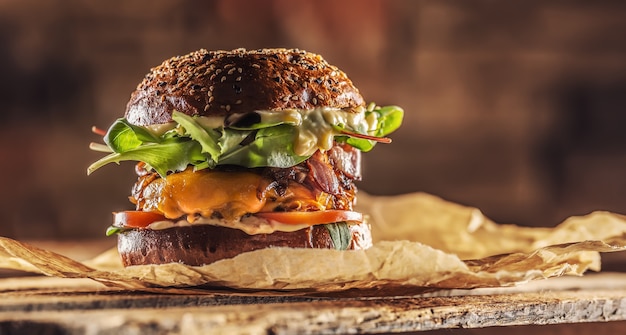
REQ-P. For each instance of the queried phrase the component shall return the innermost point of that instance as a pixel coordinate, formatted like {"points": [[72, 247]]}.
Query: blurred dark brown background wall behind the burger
{"points": [[515, 107]]}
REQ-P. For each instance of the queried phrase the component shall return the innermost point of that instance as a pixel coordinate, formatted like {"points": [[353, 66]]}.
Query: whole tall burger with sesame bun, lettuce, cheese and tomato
{"points": [[242, 150]]}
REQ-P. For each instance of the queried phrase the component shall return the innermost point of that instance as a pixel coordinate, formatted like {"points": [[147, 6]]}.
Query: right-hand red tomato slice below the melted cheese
{"points": [[318, 217]]}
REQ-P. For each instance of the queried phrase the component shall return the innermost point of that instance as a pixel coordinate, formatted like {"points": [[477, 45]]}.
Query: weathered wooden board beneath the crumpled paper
{"points": [[68, 306]]}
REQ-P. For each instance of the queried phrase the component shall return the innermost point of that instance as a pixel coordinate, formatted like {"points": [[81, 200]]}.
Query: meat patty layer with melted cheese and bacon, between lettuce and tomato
{"points": [[325, 181]]}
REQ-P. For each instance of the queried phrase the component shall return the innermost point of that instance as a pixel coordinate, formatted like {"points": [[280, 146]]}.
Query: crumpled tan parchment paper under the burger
{"points": [[421, 242]]}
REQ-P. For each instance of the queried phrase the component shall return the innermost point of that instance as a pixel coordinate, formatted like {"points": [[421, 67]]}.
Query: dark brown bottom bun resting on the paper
{"points": [[204, 244]]}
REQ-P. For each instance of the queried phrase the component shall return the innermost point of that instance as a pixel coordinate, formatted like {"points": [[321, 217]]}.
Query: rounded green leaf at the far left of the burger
{"points": [[123, 136]]}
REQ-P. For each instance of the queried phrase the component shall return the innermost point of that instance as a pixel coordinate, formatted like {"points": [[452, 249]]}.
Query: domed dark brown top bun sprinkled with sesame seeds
{"points": [[220, 83]]}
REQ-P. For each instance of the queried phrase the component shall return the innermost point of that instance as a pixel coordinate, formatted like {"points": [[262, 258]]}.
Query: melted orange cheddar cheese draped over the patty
{"points": [[229, 195]]}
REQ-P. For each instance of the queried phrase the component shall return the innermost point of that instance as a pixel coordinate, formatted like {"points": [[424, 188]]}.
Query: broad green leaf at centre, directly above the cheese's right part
{"points": [[272, 146]]}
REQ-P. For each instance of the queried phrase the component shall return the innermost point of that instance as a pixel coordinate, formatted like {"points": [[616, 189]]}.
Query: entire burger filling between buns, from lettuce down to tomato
{"points": [[259, 172]]}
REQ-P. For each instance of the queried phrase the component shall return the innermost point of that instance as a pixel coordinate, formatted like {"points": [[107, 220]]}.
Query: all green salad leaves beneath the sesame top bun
{"points": [[190, 143]]}
